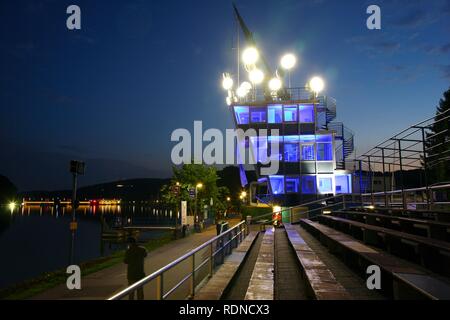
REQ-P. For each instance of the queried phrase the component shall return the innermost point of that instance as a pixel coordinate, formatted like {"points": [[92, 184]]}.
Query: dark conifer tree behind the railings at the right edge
{"points": [[438, 143]]}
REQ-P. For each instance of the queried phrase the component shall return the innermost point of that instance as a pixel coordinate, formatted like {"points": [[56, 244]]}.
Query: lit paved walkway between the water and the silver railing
{"points": [[103, 284]]}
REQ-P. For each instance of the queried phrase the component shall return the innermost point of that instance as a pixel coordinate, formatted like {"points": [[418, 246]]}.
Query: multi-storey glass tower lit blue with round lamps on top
{"points": [[312, 148]]}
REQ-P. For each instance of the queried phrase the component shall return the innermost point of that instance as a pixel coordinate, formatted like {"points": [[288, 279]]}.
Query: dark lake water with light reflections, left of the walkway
{"points": [[36, 239]]}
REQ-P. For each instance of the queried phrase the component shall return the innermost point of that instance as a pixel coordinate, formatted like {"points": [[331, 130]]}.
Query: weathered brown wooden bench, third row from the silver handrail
{"points": [[320, 280]]}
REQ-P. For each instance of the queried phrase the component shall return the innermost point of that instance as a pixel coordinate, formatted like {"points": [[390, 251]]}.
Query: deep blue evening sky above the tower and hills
{"points": [[113, 92]]}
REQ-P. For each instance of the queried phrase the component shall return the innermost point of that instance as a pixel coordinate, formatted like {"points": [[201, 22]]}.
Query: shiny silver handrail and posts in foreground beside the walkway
{"points": [[242, 226]]}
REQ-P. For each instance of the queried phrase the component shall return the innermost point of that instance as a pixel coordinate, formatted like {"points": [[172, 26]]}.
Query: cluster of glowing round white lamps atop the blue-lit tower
{"points": [[256, 76]]}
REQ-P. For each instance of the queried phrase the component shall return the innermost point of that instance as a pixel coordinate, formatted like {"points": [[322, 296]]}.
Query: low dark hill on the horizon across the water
{"points": [[132, 189]]}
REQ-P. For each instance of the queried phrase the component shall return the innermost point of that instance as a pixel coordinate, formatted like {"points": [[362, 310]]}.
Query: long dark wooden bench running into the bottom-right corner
{"points": [[400, 279]]}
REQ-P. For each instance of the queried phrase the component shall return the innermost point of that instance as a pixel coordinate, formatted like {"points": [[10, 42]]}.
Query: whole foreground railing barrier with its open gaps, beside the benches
{"points": [[173, 282]]}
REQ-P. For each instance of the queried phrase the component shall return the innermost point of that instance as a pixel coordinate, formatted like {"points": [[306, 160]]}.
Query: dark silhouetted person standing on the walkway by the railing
{"points": [[134, 258]]}
